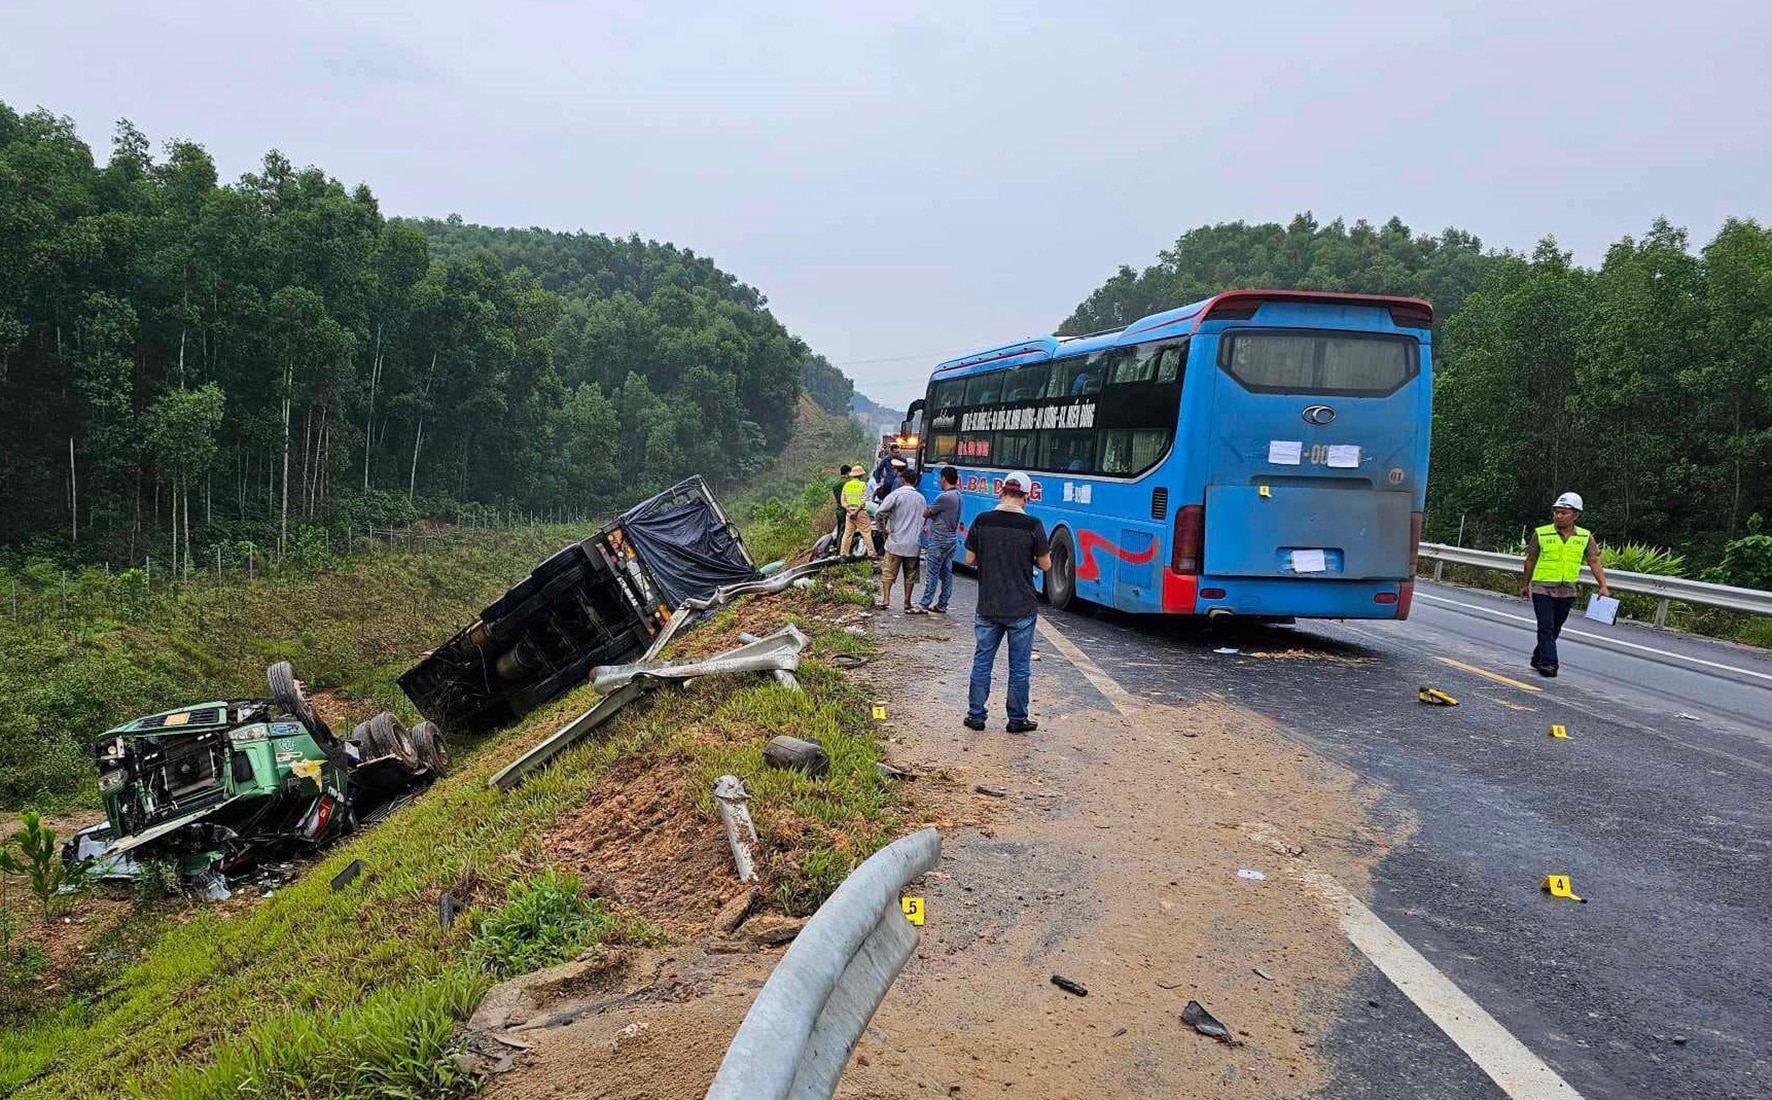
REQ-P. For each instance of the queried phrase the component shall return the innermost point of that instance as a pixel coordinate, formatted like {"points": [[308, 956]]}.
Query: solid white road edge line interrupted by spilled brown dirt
{"points": [[1507, 1062]]}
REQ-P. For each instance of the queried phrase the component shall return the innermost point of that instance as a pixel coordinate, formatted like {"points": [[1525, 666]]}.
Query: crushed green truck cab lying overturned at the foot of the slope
{"points": [[226, 786]]}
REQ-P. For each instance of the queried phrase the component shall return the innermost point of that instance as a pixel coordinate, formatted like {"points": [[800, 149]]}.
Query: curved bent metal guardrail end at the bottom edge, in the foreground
{"points": [[797, 1039]]}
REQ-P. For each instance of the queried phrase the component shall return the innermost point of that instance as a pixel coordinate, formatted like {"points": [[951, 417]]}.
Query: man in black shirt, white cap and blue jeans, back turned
{"points": [[1006, 545]]}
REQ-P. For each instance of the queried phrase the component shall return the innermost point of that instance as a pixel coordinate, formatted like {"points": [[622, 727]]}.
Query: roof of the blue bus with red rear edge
{"points": [[1231, 306]]}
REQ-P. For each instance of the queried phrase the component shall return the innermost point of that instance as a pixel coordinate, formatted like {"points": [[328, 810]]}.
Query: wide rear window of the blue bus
{"points": [[1302, 362]]}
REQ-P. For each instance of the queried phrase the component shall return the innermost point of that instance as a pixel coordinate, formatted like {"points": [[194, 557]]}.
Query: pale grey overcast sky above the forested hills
{"points": [[910, 182]]}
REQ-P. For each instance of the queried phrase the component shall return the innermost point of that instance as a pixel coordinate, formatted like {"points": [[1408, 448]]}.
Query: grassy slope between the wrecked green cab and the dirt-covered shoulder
{"points": [[357, 993]]}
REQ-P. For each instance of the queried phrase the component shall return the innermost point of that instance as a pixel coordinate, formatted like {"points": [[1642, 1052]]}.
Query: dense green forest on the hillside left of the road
{"points": [[185, 360]]}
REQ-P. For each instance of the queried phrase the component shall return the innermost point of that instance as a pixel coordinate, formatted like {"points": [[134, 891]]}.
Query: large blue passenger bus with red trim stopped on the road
{"points": [[1257, 454]]}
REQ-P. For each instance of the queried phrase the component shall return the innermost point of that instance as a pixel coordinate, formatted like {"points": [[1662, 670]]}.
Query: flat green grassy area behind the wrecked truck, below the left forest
{"points": [[350, 626]]}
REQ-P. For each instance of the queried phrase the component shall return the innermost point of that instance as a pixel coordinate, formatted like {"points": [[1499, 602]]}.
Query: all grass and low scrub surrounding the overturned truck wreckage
{"points": [[359, 993]]}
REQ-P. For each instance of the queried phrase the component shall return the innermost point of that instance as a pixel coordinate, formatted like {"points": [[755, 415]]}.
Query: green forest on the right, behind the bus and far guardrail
{"points": [[1647, 383]]}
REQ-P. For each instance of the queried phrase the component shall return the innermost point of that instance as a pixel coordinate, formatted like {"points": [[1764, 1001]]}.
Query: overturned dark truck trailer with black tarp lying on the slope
{"points": [[600, 601]]}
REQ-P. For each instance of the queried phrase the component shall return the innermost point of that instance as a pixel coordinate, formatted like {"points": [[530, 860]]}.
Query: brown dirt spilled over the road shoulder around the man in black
{"points": [[1139, 855]]}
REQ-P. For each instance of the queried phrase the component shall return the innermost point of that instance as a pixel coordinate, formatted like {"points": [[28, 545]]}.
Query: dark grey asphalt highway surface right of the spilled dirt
{"points": [[1658, 805]]}
